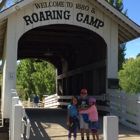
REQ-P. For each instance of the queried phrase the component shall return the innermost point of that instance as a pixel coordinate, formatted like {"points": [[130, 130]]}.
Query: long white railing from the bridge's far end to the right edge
{"points": [[125, 106]]}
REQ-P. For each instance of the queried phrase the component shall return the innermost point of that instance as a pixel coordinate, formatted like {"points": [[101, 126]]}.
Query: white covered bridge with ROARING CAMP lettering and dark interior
{"points": [[79, 37]]}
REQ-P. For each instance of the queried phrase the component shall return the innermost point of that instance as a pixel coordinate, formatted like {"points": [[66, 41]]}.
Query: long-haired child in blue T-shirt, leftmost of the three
{"points": [[72, 117]]}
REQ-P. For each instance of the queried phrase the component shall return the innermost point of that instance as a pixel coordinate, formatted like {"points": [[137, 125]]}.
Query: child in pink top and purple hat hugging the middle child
{"points": [[93, 118]]}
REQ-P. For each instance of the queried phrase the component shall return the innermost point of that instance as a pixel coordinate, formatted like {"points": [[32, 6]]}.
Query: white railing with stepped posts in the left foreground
{"points": [[19, 120]]}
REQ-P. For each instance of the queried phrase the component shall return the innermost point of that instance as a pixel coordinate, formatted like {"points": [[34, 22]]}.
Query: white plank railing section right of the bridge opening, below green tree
{"points": [[126, 107]]}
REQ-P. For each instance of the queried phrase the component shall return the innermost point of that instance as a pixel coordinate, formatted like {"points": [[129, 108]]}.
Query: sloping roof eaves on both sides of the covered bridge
{"points": [[127, 29]]}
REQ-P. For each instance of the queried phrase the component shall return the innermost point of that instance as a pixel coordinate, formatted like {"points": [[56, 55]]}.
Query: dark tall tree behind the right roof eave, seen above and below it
{"points": [[118, 4]]}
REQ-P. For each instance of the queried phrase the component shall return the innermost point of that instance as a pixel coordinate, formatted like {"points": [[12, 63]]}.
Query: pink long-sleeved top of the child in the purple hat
{"points": [[92, 113]]}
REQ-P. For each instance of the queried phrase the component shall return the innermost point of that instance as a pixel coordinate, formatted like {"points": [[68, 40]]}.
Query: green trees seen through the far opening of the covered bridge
{"points": [[33, 77]]}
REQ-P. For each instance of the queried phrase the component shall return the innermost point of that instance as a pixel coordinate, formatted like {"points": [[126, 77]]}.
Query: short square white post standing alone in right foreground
{"points": [[110, 127]]}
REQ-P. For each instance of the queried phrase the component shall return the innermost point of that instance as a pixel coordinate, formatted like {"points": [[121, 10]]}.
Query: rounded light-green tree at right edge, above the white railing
{"points": [[130, 76]]}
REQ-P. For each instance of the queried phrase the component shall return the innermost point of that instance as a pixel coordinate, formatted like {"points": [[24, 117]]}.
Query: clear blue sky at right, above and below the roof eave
{"points": [[133, 7]]}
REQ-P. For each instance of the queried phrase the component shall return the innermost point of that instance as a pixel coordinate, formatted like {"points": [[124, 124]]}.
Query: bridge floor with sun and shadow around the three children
{"points": [[50, 124]]}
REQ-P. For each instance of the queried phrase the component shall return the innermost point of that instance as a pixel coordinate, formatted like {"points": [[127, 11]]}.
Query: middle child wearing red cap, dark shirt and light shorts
{"points": [[83, 104]]}
